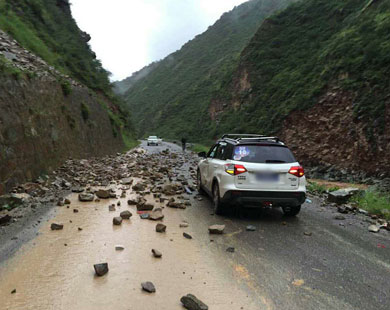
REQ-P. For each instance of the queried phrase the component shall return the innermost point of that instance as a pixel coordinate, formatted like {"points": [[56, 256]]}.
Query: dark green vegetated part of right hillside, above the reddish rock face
{"points": [[299, 53]]}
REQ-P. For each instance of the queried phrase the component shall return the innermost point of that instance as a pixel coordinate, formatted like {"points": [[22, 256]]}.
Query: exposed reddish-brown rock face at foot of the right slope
{"points": [[329, 134]]}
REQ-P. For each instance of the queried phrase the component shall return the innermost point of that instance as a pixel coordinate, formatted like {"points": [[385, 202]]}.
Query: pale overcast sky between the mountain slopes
{"points": [[129, 34]]}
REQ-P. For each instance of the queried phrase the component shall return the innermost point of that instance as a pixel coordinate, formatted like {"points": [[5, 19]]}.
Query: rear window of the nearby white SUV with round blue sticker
{"points": [[264, 154]]}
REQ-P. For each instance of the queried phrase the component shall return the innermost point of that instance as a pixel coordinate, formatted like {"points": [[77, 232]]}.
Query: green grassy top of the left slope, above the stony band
{"points": [[46, 28]]}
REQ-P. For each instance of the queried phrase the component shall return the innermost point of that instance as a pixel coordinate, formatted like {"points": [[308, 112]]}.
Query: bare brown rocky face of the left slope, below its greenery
{"points": [[47, 114]]}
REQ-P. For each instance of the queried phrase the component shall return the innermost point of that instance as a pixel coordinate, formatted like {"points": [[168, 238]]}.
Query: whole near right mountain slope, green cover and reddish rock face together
{"points": [[318, 75]]}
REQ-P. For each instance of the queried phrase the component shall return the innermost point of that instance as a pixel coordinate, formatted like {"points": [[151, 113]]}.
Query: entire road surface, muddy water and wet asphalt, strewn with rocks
{"points": [[313, 261]]}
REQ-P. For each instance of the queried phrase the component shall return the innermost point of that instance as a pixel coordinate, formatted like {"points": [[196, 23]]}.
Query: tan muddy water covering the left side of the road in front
{"points": [[55, 271]]}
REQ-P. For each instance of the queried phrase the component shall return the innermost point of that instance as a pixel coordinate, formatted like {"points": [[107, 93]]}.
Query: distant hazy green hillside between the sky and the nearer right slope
{"points": [[173, 99]]}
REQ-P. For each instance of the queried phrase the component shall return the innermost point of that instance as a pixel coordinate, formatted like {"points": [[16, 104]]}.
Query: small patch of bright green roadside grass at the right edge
{"points": [[374, 202]]}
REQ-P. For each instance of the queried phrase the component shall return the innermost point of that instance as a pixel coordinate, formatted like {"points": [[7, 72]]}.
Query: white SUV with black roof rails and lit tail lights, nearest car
{"points": [[252, 170]]}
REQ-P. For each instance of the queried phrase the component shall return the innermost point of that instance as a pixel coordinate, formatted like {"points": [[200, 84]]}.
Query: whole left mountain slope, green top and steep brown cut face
{"points": [[56, 101]]}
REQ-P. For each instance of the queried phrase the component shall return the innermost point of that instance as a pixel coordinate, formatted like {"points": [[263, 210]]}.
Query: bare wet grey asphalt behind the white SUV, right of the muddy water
{"points": [[340, 265]]}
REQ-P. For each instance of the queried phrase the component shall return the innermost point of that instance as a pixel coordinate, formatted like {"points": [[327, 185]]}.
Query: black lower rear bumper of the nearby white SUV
{"points": [[259, 198]]}
